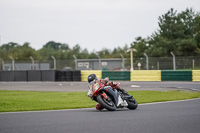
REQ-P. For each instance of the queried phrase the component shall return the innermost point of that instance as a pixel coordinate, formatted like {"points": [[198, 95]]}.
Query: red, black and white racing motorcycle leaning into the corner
{"points": [[111, 98]]}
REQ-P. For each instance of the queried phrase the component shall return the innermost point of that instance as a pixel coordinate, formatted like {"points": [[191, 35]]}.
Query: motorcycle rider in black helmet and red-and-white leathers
{"points": [[92, 79]]}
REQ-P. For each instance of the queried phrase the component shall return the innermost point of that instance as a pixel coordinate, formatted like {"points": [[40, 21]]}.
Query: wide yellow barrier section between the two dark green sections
{"points": [[146, 75]]}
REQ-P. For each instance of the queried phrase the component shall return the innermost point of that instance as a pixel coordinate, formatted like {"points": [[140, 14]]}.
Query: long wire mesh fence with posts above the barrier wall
{"points": [[154, 63]]}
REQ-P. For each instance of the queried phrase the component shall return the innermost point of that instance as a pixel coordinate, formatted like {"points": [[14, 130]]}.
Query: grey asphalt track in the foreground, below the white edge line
{"points": [[170, 117]]}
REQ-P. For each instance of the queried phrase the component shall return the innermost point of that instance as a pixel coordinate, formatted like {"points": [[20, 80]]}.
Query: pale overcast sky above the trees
{"points": [[93, 24]]}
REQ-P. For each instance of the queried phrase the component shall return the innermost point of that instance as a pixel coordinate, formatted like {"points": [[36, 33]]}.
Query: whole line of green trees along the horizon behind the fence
{"points": [[177, 32]]}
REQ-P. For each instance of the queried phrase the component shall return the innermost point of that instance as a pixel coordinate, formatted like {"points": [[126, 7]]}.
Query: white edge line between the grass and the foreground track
{"points": [[45, 111]]}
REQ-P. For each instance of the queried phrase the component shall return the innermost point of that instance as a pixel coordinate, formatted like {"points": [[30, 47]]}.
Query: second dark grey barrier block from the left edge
{"points": [[20, 76]]}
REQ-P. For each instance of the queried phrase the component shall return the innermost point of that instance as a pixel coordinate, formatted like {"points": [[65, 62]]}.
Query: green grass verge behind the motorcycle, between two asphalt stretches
{"points": [[12, 101]]}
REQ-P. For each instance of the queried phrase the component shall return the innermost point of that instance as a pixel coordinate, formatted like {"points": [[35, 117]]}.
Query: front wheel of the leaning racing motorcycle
{"points": [[106, 103]]}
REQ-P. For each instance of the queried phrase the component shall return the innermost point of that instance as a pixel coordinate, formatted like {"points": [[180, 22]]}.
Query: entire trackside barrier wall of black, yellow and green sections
{"points": [[136, 75]]}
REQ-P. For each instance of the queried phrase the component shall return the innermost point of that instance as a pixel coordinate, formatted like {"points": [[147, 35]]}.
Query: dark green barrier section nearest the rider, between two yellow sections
{"points": [[116, 75]]}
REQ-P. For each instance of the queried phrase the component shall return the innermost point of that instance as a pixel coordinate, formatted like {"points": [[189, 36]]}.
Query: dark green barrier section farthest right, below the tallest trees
{"points": [[170, 75]]}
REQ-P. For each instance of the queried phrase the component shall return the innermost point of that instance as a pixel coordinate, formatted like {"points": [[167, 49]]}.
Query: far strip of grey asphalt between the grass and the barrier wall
{"points": [[83, 86]]}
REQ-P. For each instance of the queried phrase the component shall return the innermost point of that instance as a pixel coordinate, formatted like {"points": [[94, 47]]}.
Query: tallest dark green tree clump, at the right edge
{"points": [[178, 32]]}
